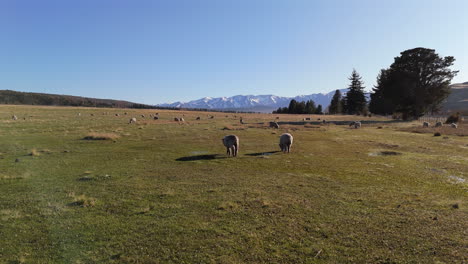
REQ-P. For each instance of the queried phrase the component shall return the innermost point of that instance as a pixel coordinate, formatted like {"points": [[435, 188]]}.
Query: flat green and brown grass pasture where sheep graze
{"points": [[165, 192]]}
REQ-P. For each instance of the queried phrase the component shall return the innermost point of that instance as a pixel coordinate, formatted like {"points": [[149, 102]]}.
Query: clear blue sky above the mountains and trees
{"points": [[164, 51]]}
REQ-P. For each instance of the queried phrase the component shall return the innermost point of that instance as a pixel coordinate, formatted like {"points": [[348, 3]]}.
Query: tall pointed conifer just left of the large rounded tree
{"points": [[355, 98]]}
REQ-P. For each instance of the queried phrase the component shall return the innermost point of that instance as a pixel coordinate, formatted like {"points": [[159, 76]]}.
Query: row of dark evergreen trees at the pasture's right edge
{"points": [[416, 83]]}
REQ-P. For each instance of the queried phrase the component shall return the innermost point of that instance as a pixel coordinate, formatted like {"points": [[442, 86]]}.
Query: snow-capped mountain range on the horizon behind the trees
{"points": [[257, 103]]}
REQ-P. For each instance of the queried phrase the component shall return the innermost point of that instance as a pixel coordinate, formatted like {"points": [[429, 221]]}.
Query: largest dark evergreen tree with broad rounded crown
{"points": [[417, 82]]}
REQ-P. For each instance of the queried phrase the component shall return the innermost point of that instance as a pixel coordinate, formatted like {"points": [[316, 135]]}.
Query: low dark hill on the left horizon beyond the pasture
{"points": [[14, 97]]}
